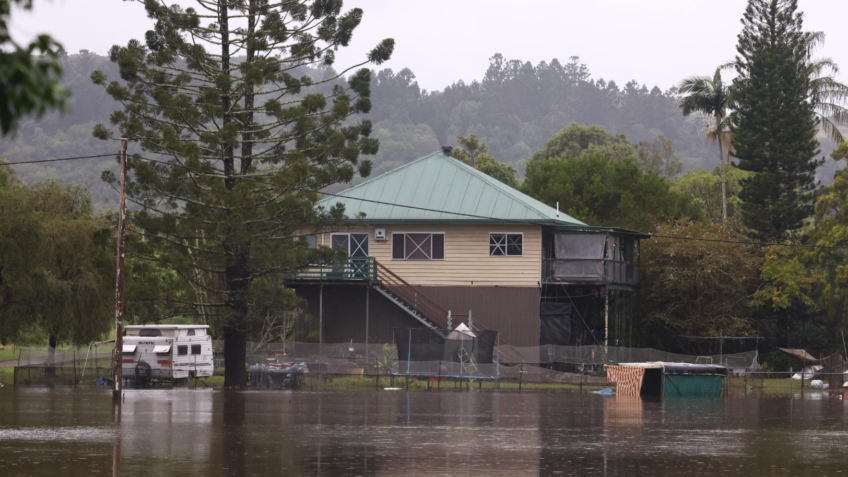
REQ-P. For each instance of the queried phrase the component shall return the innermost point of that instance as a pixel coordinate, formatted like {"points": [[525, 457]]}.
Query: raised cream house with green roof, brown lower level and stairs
{"points": [[445, 243]]}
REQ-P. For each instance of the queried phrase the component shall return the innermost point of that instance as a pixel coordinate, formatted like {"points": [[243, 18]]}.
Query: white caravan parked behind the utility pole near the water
{"points": [[166, 352]]}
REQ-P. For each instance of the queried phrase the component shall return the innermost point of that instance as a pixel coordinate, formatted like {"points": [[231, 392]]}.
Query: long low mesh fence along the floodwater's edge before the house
{"points": [[579, 365]]}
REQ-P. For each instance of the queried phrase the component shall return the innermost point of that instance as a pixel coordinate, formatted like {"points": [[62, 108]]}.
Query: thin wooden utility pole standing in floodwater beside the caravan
{"points": [[119, 278]]}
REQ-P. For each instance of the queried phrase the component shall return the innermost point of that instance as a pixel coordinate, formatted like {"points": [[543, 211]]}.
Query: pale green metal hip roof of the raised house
{"points": [[439, 188]]}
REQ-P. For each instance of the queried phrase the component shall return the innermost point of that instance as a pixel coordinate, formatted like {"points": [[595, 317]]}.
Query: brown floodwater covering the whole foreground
{"points": [[70, 432]]}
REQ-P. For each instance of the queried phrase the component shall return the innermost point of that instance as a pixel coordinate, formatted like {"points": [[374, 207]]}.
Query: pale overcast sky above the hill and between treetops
{"points": [[657, 42]]}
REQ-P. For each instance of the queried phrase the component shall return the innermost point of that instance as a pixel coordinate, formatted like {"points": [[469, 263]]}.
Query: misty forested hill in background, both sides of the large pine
{"points": [[515, 107]]}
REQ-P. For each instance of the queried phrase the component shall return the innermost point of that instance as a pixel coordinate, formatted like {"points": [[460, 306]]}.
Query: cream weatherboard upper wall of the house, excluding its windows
{"points": [[467, 261]]}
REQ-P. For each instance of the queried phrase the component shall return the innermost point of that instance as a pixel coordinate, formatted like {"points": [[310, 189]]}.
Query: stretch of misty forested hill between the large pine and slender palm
{"points": [[516, 107]]}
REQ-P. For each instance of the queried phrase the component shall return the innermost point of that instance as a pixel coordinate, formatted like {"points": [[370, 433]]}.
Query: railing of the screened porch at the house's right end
{"points": [[589, 270]]}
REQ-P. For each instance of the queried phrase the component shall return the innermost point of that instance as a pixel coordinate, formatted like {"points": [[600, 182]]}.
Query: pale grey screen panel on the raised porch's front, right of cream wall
{"points": [[579, 255]]}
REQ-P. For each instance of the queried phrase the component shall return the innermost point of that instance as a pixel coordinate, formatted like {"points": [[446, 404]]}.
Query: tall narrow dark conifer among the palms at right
{"points": [[775, 121]]}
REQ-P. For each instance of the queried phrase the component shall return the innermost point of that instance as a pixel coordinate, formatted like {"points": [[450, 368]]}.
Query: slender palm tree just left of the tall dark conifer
{"points": [[711, 96]]}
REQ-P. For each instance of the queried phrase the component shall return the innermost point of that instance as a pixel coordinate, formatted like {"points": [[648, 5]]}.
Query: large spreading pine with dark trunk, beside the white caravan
{"points": [[240, 97]]}
